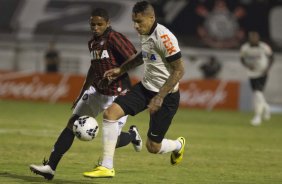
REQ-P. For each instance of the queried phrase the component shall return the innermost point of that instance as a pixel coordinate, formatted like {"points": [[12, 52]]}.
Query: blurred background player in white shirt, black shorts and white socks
{"points": [[257, 58]]}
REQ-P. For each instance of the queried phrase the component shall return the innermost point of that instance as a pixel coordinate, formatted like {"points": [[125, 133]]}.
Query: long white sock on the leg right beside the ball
{"points": [[110, 135]]}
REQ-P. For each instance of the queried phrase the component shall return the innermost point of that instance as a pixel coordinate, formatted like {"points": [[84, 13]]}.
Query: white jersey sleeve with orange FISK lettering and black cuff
{"points": [[169, 46]]}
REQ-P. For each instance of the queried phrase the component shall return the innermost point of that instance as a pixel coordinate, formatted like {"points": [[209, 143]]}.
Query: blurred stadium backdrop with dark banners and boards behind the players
{"points": [[28, 25]]}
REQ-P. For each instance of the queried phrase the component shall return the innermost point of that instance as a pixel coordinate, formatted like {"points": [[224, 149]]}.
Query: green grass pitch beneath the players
{"points": [[222, 147]]}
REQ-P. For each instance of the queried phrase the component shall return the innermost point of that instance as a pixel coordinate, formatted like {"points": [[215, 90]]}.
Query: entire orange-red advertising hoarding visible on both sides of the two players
{"points": [[207, 94]]}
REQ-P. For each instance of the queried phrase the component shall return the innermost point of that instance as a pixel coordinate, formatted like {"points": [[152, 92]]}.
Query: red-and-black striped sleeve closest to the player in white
{"points": [[122, 45]]}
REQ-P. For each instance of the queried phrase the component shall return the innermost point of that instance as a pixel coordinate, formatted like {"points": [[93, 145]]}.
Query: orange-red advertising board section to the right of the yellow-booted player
{"points": [[210, 94]]}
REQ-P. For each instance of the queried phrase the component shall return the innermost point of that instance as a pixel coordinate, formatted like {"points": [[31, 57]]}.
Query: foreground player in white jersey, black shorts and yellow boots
{"points": [[158, 91]]}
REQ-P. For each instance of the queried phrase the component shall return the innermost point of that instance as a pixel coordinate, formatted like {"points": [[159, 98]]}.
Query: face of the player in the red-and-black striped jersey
{"points": [[98, 25]]}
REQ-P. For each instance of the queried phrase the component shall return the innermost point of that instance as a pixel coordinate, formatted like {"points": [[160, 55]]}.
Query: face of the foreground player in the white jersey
{"points": [[142, 23]]}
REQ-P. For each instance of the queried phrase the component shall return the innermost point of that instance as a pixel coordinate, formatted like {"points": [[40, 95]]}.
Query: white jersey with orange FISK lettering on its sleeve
{"points": [[158, 49]]}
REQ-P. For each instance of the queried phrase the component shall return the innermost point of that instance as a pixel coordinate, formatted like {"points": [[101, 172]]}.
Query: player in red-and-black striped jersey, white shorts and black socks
{"points": [[109, 49]]}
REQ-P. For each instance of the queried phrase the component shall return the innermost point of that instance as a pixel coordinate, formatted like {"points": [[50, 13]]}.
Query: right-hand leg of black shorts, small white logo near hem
{"points": [[160, 121]]}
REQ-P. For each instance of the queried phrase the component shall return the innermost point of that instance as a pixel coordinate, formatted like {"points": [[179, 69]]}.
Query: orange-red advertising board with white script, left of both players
{"points": [[40, 87]]}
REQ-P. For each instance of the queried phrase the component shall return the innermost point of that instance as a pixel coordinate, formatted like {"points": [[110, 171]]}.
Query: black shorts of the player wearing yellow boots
{"points": [[136, 101]]}
